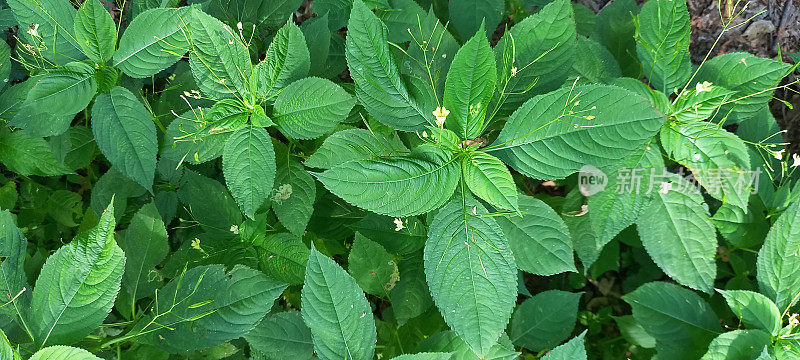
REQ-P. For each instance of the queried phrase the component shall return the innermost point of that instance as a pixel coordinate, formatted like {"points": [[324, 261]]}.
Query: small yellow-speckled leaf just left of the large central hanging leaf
{"points": [[373, 268]]}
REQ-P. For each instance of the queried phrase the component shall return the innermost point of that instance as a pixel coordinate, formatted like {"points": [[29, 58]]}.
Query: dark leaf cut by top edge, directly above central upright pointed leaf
{"points": [[468, 16]]}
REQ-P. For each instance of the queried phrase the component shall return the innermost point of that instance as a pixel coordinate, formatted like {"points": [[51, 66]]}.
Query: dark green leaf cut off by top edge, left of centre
{"points": [[259, 12]]}
